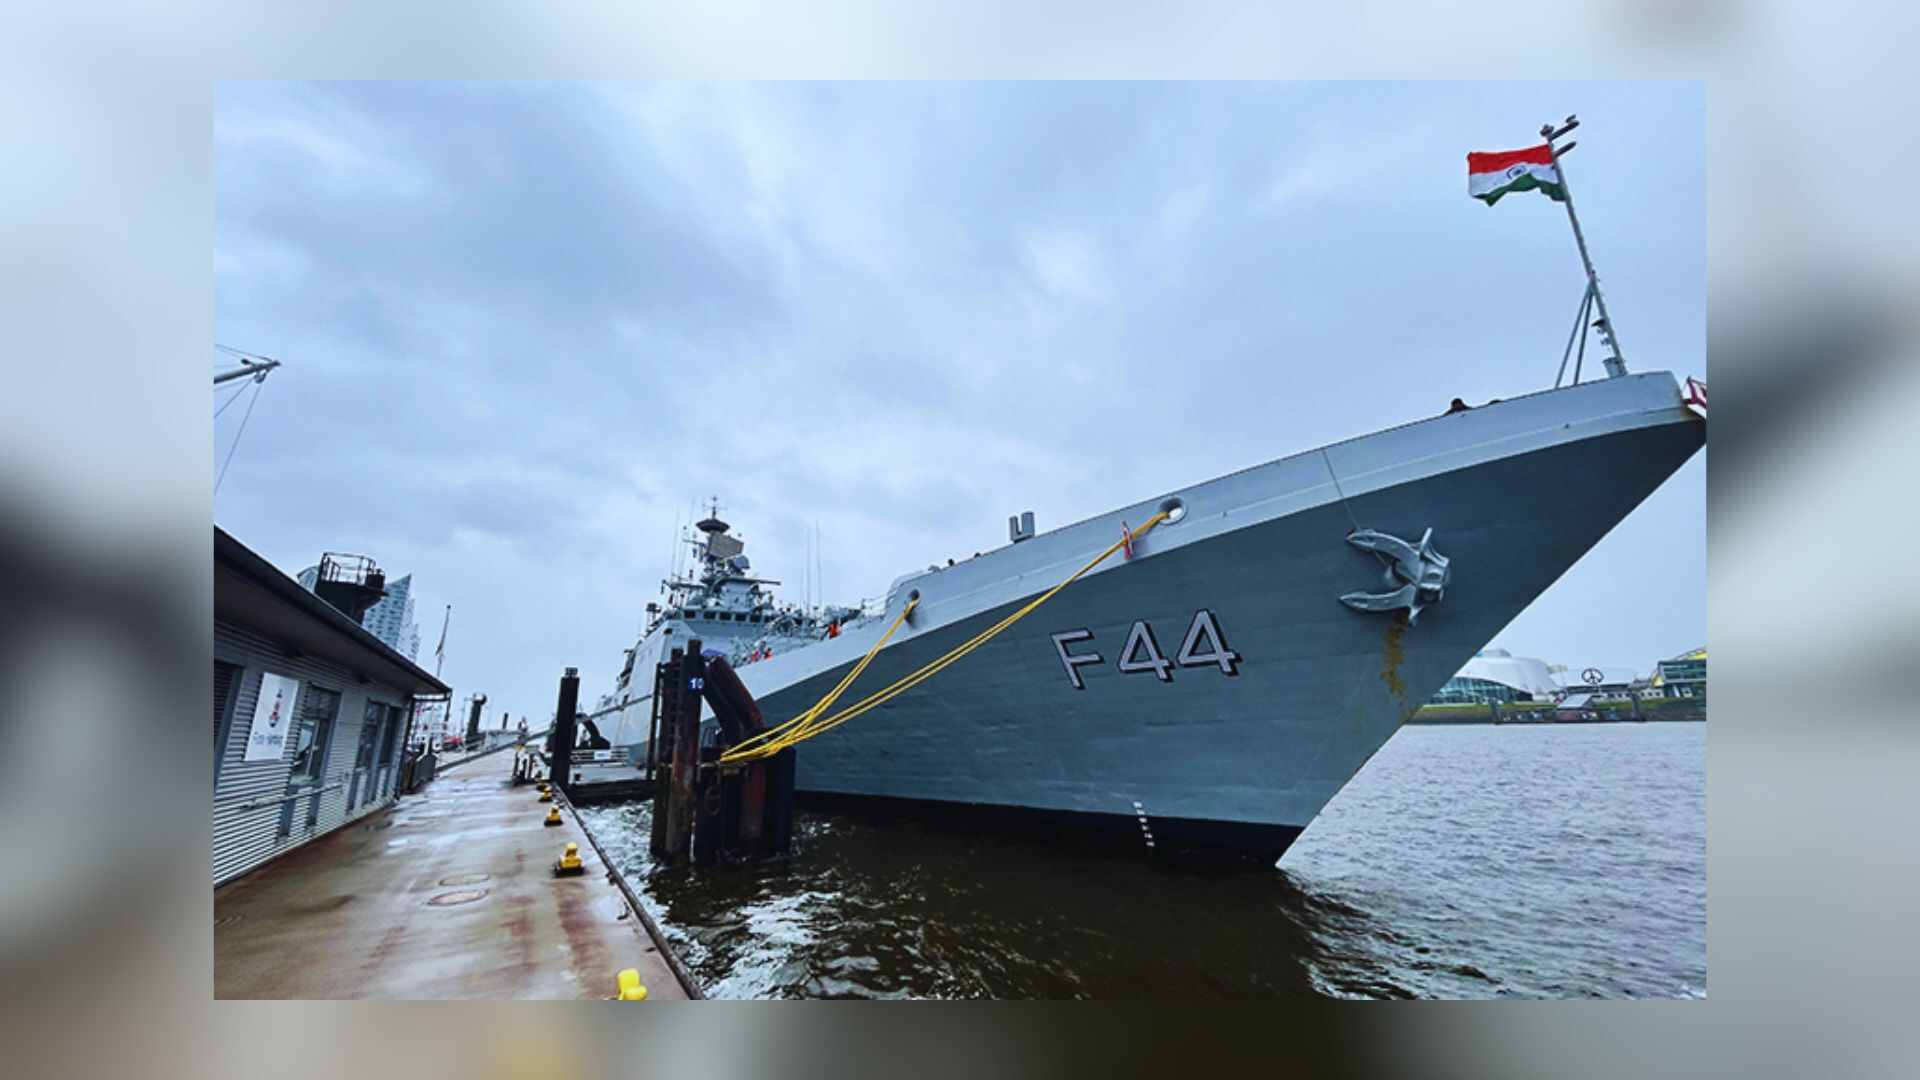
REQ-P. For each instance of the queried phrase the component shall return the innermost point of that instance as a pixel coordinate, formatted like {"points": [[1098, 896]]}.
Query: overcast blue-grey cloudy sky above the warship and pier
{"points": [[529, 326]]}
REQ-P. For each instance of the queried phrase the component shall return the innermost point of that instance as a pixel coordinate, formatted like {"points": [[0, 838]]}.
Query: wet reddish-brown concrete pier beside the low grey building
{"points": [[446, 896]]}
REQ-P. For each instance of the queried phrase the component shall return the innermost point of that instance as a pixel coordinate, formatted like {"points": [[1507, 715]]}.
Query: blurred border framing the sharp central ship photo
{"points": [[1812, 745]]}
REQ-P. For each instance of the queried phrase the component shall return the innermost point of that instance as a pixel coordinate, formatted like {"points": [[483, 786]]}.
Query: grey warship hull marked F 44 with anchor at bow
{"points": [[1205, 760]]}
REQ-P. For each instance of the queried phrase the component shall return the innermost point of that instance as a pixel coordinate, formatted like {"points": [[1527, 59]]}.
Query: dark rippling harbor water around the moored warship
{"points": [[1464, 862]]}
